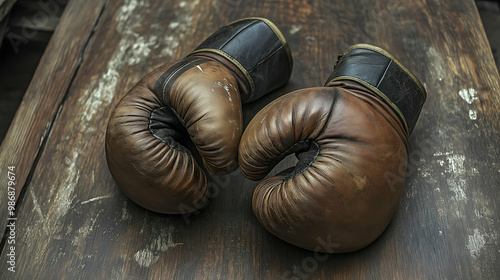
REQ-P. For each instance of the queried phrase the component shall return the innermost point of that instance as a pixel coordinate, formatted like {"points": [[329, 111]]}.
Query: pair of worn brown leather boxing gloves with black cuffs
{"points": [[350, 136]]}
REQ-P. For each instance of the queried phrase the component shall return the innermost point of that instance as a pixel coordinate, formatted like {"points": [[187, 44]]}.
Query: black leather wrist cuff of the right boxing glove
{"points": [[383, 74]]}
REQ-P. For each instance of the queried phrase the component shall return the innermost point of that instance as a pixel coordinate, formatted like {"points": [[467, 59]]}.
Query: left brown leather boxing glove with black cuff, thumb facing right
{"points": [[189, 110]]}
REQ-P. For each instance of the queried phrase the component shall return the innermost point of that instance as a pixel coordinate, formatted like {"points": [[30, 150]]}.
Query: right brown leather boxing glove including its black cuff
{"points": [[350, 138]]}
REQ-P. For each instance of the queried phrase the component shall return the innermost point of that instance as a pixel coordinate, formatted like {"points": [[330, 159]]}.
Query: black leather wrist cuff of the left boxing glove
{"points": [[258, 49]]}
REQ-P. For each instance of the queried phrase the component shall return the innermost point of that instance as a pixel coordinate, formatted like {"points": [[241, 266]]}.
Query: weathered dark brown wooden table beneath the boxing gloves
{"points": [[74, 223]]}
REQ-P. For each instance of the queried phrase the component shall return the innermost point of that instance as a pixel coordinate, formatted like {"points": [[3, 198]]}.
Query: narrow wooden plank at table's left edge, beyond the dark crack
{"points": [[45, 94]]}
